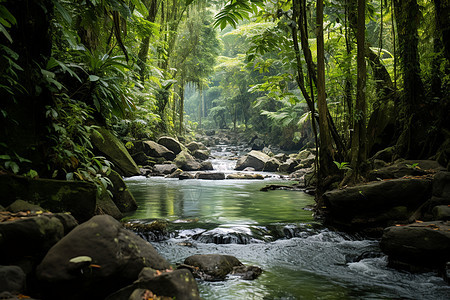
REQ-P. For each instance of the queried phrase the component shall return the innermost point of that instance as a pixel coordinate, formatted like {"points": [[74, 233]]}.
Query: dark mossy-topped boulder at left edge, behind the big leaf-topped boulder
{"points": [[29, 237]]}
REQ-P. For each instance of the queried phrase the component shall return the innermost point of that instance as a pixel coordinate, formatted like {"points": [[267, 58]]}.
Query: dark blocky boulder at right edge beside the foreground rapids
{"points": [[417, 246]]}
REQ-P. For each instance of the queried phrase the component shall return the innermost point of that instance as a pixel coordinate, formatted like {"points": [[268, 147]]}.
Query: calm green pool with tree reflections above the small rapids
{"points": [[226, 201]]}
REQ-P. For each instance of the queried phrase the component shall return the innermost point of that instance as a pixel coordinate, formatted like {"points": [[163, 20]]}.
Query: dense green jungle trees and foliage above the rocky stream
{"points": [[349, 77]]}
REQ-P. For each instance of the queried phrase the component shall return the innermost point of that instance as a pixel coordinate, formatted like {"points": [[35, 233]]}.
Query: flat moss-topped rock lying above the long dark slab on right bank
{"points": [[405, 168]]}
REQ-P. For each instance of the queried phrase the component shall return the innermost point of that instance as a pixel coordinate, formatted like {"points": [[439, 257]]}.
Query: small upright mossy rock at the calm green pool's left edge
{"points": [[122, 197]]}
